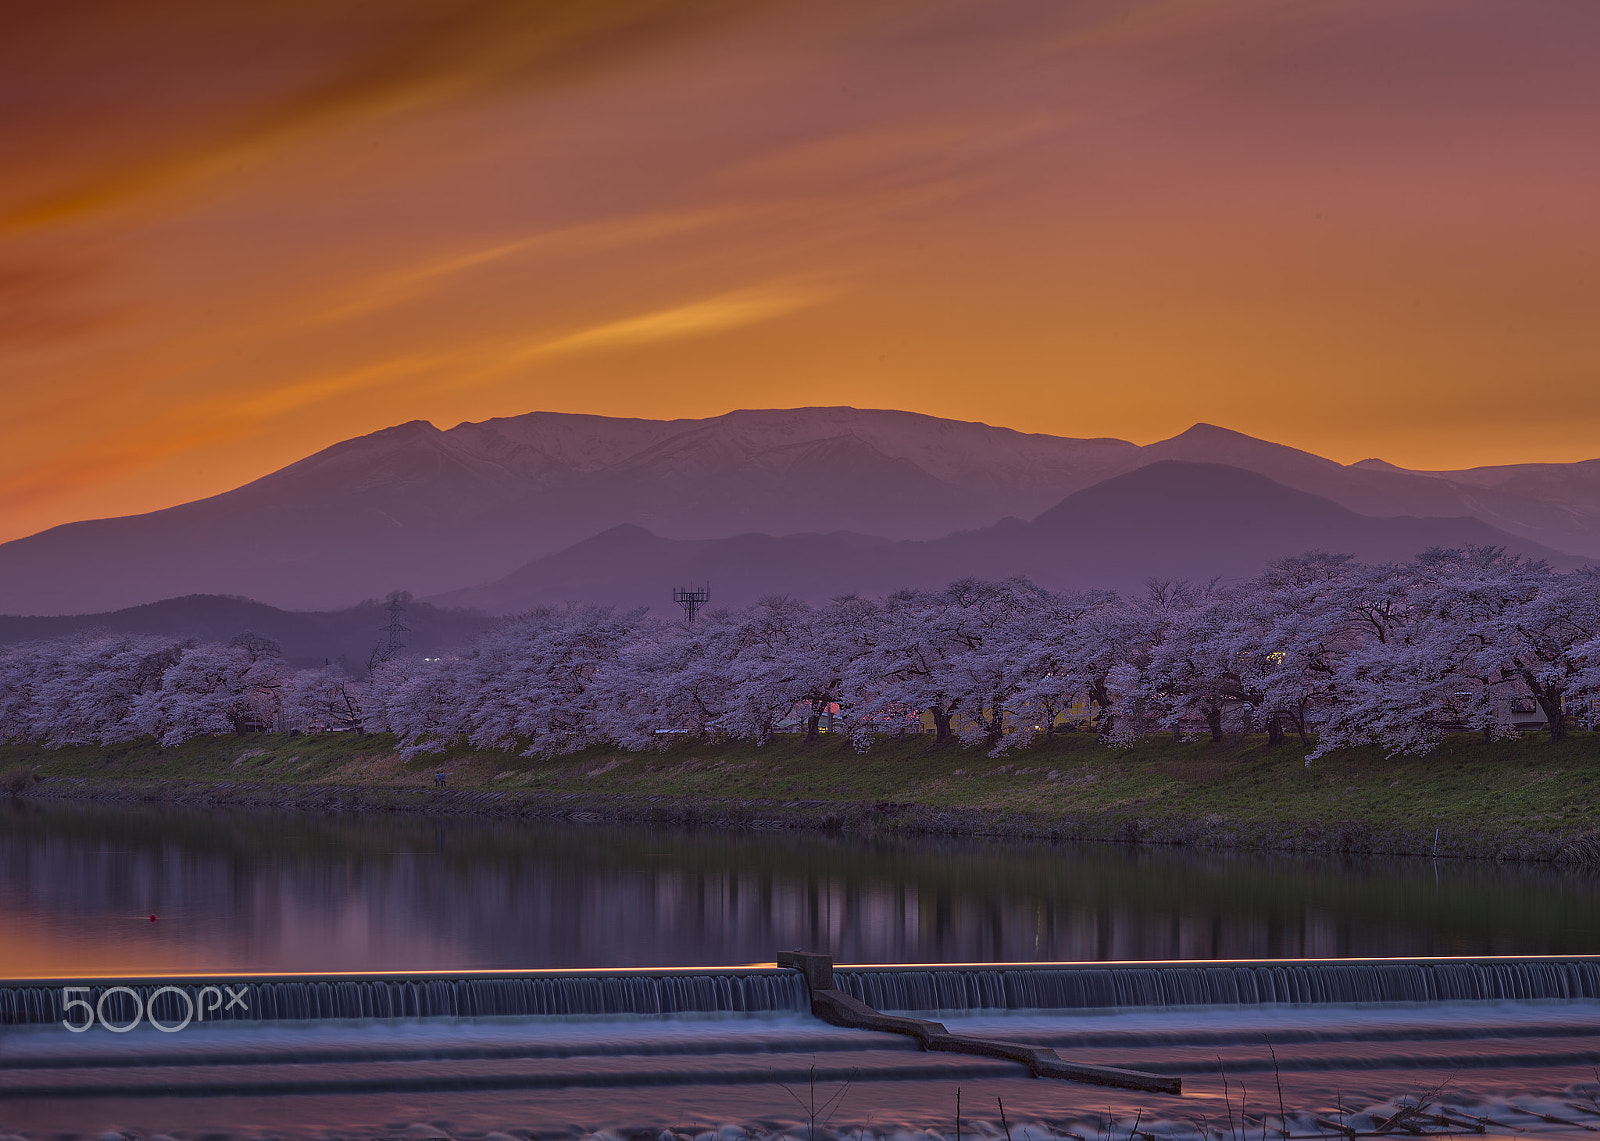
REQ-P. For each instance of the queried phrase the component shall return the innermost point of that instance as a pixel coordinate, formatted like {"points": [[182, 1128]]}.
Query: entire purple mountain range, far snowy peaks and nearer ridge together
{"points": [[546, 508]]}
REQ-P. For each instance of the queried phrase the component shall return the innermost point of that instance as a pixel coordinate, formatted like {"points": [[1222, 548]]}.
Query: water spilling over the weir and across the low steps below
{"points": [[353, 1057]]}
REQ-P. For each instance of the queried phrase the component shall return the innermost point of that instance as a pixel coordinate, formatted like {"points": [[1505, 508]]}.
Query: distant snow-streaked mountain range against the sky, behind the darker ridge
{"points": [[434, 511]]}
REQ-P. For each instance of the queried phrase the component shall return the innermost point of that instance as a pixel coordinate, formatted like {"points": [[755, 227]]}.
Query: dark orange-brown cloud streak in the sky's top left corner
{"points": [[298, 68]]}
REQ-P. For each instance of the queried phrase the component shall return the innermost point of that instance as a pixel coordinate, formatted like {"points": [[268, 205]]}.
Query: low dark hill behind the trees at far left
{"points": [[308, 638]]}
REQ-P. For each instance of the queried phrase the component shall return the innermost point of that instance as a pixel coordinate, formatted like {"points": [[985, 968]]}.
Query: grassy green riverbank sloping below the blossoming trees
{"points": [[1511, 799]]}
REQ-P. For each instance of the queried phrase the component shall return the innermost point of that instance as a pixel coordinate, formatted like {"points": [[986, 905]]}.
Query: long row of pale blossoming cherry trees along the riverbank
{"points": [[1324, 647]]}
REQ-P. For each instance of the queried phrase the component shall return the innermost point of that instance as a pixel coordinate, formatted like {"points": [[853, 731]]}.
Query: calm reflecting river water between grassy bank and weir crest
{"points": [[238, 891]]}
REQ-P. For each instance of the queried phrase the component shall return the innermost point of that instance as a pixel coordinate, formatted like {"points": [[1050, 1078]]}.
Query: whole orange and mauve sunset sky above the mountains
{"points": [[236, 233]]}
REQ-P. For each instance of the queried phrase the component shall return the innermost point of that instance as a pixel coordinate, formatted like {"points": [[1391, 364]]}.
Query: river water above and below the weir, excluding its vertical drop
{"points": [[249, 892]]}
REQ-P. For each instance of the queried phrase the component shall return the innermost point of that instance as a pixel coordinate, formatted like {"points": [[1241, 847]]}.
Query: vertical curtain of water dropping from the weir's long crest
{"points": [[753, 990]]}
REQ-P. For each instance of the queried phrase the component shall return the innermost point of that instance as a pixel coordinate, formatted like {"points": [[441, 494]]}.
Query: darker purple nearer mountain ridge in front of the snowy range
{"points": [[1170, 519]]}
